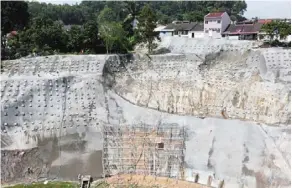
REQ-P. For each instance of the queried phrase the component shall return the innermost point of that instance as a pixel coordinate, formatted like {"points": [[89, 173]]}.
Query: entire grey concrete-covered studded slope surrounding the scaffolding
{"points": [[54, 109]]}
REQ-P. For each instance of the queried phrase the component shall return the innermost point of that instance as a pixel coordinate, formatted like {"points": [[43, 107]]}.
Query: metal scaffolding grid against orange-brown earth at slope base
{"points": [[156, 150]]}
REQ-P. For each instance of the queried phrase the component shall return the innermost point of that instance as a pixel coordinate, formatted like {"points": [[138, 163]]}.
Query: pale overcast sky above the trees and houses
{"points": [[259, 8]]}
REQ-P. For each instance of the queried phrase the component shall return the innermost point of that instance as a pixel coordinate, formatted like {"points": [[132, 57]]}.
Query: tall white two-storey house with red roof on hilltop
{"points": [[216, 23]]}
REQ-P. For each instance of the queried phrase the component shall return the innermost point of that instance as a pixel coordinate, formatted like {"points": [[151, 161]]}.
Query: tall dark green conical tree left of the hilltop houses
{"points": [[146, 24]]}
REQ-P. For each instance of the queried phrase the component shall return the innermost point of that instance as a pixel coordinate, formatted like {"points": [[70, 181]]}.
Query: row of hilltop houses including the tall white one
{"points": [[218, 25]]}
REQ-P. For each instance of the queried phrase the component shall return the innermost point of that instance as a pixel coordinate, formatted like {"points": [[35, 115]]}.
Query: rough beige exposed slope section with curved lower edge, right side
{"points": [[244, 85]]}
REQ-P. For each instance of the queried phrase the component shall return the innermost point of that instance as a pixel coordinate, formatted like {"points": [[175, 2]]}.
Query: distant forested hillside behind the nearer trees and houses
{"points": [[167, 10]]}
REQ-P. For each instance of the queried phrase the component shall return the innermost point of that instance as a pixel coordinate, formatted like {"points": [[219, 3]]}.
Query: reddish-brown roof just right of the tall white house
{"points": [[243, 28]]}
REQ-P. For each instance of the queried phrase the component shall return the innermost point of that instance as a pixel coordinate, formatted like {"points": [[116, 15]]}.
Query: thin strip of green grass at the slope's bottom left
{"points": [[48, 185]]}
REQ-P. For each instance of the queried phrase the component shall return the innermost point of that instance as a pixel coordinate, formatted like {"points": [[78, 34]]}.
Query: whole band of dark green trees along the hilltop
{"points": [[95, 26]]}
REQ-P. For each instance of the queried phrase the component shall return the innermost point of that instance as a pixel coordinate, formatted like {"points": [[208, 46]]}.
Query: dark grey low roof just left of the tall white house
{"points": [[191, 26]]}
